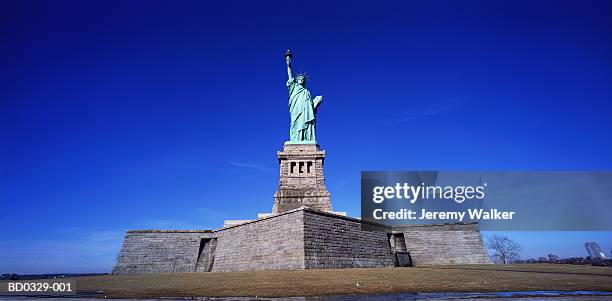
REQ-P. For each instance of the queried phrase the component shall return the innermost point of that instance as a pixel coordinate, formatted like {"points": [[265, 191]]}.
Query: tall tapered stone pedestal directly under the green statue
{"points": [[301, 182]]}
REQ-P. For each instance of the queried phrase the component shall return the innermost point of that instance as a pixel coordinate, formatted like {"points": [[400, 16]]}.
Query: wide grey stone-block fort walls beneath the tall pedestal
{"points": [[302, 238]]}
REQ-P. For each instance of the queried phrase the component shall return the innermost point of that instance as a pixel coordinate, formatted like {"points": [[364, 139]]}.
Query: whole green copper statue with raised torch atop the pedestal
{"points": [[302, 106]]}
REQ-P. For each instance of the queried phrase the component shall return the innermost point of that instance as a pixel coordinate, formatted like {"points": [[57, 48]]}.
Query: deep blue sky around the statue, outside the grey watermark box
{"points": [[123, 115]]}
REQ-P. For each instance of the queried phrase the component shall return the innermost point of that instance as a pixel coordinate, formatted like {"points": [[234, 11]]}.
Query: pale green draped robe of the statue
{"points": [[303, 109]]}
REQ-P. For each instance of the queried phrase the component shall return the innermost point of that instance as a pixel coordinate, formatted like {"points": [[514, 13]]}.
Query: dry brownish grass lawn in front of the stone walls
{"points": [[464, 278]]}
